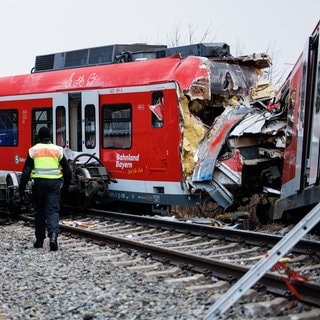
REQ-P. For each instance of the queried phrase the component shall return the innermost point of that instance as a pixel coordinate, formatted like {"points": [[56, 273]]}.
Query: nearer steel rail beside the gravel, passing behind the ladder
{"points": [[309, 292]]}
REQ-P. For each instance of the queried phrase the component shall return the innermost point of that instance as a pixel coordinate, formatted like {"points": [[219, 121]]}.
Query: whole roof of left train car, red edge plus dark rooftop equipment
{"points": [[199, 70]]}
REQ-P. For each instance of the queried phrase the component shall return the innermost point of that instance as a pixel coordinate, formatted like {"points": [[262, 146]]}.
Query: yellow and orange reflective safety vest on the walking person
{"points": [[46, 159]]}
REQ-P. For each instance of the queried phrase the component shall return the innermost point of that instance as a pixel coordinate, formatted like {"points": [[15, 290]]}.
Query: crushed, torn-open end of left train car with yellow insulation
{"points": [[233, 141]]}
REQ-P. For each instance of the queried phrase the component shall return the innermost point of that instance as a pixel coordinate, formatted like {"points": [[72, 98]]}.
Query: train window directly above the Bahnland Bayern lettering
{"points": [[117, 126]]}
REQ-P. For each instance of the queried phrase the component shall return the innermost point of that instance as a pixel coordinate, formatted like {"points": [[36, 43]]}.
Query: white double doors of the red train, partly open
{"points": [[75, 121]]}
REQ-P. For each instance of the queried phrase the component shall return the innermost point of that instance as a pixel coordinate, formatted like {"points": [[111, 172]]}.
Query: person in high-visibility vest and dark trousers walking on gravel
{"points": [[49, 169]]}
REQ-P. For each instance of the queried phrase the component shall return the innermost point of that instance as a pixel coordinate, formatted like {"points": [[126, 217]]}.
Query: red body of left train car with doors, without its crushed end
{"points": [[105, 110]]}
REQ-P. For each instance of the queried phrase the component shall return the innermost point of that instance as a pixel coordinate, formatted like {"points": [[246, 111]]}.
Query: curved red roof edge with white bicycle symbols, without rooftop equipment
{"points": [[108, 76]]}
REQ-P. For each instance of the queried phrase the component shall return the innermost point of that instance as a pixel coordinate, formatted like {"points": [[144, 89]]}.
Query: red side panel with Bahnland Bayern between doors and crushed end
{"points": [[143, 150]]}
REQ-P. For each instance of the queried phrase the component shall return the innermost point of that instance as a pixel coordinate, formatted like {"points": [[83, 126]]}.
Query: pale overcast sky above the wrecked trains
{"points": [[36, 27]]}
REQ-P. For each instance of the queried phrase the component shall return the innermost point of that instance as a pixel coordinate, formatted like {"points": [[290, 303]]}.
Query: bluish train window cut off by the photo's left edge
{"points": [[8, 127]]}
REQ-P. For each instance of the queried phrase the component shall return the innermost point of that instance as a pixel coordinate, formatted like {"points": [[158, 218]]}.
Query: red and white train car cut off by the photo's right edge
{"points": [[301, 96]]}
